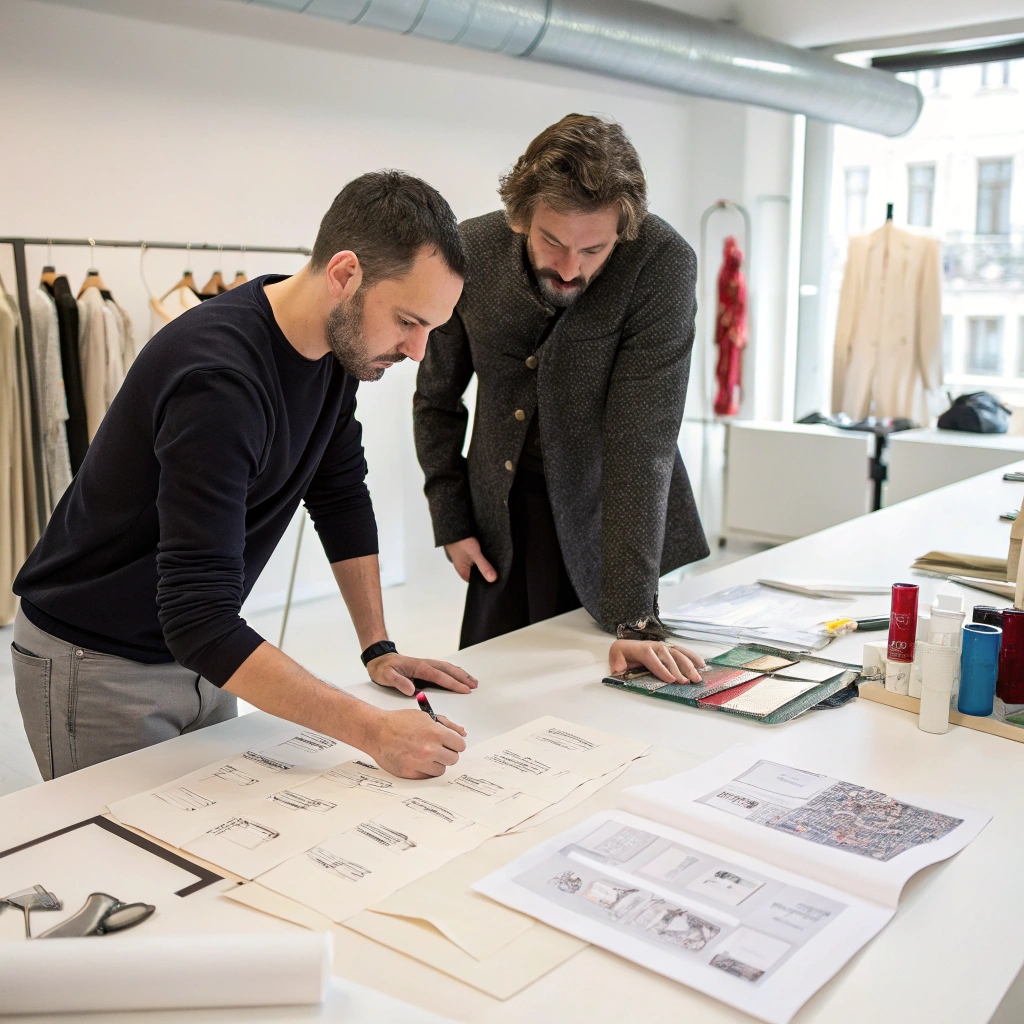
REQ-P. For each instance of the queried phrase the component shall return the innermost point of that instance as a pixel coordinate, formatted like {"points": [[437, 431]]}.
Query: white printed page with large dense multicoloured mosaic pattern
{"points": [[838, 833]]}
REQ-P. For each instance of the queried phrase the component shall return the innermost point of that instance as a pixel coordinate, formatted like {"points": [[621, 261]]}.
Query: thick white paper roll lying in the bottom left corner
{"points": [[115, 972]]}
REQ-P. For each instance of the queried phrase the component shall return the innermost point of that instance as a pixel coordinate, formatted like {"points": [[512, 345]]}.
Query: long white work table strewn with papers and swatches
{"points": [[957, 944]]}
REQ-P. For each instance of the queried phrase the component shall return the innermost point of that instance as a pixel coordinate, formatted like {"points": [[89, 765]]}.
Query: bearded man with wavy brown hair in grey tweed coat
{"points": [[578, 320]]}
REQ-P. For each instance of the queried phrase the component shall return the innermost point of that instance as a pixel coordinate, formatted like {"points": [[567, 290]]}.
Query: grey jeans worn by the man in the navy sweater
{"points": [[81, 707]]}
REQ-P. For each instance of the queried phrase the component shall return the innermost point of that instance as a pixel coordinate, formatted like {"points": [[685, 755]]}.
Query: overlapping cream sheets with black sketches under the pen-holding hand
{"points": [[339, 837]]}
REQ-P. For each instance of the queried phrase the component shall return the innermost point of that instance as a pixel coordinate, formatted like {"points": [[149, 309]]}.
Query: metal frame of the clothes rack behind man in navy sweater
{"points": [[22, 274]]}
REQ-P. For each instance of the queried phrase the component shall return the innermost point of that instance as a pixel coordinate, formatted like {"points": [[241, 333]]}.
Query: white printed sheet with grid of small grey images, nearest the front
{"points": [[759, 938]]}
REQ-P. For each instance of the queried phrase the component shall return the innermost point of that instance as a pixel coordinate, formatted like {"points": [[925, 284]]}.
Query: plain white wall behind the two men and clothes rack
{"points": [[210, 121]]}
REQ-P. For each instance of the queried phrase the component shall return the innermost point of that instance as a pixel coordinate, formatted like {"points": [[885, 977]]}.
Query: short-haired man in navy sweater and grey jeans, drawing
{"points": [[130, 630]]}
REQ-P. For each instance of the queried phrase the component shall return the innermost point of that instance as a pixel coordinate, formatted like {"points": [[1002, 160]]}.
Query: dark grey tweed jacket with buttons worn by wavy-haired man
{"points": [[609, 385]]}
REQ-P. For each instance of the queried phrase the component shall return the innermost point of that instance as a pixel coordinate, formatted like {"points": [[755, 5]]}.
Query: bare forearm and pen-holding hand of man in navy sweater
{"points": [[407, 744]]}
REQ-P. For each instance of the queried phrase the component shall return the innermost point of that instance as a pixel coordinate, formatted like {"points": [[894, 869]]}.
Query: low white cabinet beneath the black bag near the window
{"points": [[923, 460]]}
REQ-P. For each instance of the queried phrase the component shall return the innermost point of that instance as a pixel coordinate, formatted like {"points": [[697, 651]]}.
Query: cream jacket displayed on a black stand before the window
{"points": [[889, 330]]}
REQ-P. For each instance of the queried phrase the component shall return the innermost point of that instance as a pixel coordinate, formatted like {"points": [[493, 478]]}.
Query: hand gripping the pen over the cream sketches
{"points": [[411, 745]]}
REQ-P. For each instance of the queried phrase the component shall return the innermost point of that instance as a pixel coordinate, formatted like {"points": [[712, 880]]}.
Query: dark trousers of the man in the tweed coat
{"points": [[538, 586]]}
